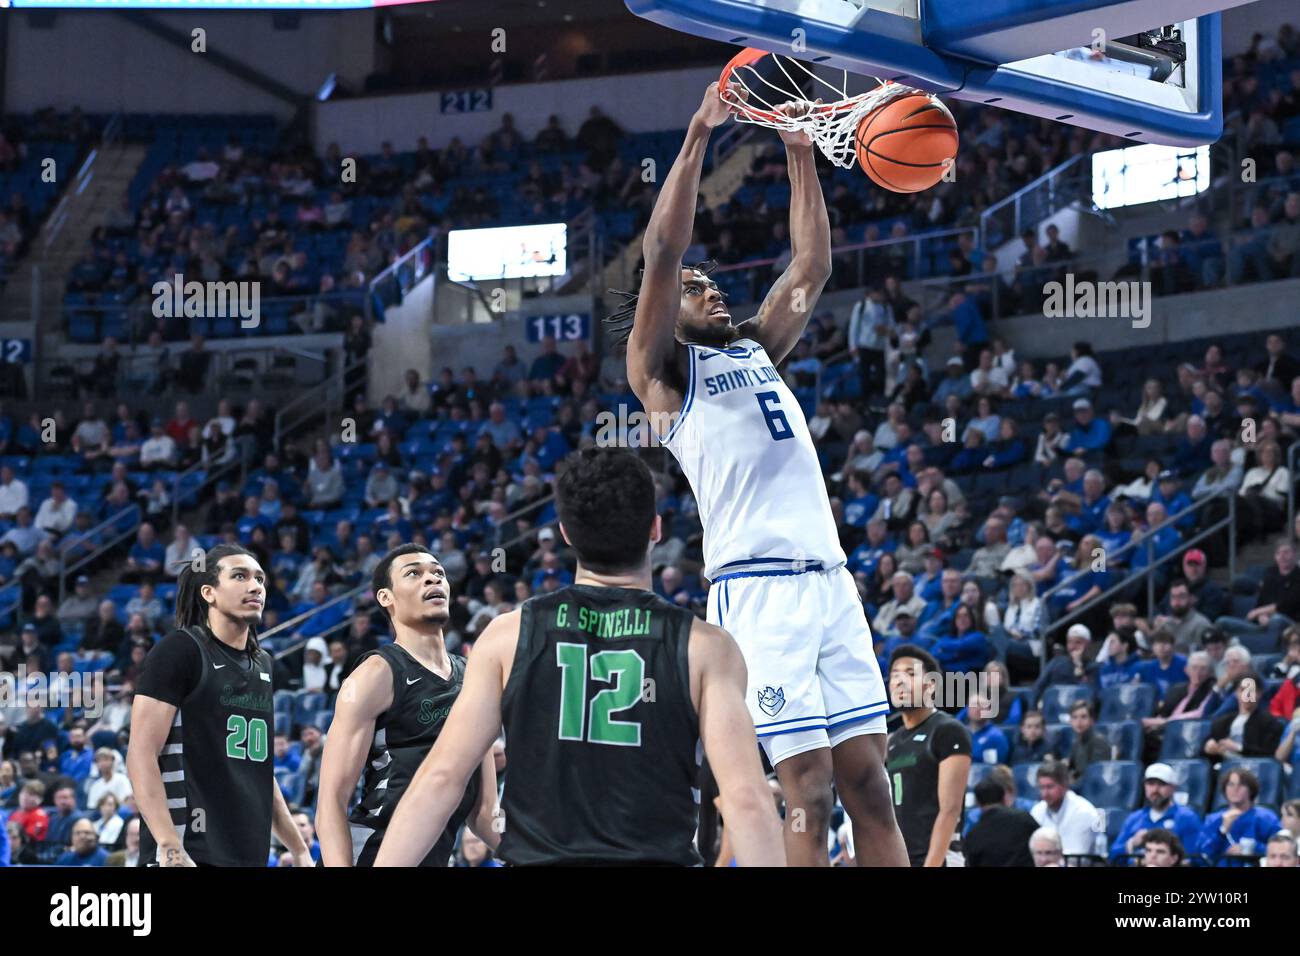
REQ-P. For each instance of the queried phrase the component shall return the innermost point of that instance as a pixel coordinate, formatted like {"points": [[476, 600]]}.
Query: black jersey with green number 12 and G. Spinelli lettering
{"points": [[601, 734]]}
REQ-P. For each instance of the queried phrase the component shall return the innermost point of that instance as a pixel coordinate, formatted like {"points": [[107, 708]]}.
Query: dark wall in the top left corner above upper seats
{"points": [[102, 63]]}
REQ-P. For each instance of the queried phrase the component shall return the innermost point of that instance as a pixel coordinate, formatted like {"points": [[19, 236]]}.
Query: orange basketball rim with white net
{"points": [[833, 127]]}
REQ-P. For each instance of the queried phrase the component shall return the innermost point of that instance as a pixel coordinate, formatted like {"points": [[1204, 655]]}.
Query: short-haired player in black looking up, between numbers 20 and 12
{"points": [[389, 713]]}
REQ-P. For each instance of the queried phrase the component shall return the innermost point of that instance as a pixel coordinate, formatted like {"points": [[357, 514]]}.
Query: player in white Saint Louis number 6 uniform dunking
{"points": [[772, 550]]}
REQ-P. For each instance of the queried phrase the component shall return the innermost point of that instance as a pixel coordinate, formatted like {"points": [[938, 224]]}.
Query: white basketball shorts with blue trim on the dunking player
{"points": [[813, 676]]}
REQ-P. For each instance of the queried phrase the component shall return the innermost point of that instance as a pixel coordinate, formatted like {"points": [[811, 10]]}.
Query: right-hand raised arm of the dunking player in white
{"points": [[786, 312]]}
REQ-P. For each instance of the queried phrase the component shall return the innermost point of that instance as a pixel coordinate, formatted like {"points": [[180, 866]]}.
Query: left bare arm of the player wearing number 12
{"points": [[473, 728]]}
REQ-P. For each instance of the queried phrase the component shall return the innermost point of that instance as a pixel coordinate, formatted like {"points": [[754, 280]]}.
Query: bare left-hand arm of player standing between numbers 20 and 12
{"points": [[366, 695]]}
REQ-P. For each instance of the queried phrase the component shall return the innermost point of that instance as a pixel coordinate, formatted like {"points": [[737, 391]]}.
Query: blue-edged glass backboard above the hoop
{"points": [[1151, 72]]}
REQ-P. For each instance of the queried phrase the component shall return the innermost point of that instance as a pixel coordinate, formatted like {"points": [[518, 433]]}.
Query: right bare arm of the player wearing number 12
{"points": [[718, 678]]}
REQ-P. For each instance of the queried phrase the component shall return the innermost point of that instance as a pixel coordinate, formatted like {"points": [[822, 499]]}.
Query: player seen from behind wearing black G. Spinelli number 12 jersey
{"points": [[606, 693]]}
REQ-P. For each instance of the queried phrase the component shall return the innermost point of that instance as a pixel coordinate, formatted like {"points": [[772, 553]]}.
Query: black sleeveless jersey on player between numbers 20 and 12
{"points": [[404, 736]]}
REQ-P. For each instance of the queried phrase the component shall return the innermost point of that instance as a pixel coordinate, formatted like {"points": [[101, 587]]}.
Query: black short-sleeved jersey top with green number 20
{"points": [[216, 764]]}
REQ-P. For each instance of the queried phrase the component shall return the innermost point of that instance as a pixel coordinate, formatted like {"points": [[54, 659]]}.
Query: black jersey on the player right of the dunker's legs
{"points": [[913, 765]]}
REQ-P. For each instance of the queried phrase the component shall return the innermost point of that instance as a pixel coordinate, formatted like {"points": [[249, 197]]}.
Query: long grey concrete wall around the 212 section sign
{"points": [[664, 102]]}
